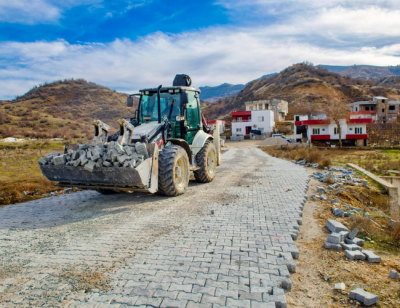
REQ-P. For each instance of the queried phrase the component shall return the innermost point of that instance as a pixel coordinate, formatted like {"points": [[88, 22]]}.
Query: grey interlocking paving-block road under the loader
{"points": [[226, 243]]}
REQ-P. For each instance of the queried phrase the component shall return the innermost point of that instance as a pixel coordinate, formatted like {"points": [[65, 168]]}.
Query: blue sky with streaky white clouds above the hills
{"points": [[132, 44]]}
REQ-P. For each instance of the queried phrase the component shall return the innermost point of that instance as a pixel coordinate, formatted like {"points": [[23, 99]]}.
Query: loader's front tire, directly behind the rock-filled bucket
{"points": [[173, 171]]}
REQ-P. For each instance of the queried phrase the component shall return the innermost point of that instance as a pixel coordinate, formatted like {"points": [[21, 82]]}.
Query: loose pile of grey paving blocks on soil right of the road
{"points": [[342, 239]]}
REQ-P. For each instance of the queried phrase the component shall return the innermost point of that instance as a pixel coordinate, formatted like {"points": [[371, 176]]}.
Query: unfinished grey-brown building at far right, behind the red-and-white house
{"points": [[380, 109]]}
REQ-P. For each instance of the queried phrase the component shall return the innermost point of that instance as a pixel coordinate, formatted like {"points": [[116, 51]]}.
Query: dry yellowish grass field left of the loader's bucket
{"points": [[19, 171]]}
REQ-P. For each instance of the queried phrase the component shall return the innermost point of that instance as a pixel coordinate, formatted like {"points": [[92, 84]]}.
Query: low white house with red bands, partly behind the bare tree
{"points": [[353, 130]]}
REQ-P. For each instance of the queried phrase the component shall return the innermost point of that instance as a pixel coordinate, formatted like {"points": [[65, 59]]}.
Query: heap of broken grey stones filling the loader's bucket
{"points": [[100, 155]]}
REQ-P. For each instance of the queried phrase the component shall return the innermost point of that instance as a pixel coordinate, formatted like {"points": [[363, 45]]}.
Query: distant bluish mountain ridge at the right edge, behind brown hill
{"points": [[364, 71]]}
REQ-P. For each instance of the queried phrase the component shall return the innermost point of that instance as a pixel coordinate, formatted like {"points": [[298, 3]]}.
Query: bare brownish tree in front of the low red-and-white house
{"points": [[336, 109]]}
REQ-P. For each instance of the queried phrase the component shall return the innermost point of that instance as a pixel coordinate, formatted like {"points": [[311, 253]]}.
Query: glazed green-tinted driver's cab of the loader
{"points": [[179, 105]]}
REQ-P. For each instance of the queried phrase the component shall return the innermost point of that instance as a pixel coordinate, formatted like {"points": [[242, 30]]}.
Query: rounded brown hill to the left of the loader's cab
{"points": [[62, 109]]}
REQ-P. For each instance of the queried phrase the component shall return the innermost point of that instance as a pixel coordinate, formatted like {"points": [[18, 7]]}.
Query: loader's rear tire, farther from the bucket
{"points": [[206, 159]]}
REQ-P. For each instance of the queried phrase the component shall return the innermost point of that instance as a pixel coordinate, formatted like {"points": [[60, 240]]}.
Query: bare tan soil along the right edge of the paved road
{"points": [[318, 269]]}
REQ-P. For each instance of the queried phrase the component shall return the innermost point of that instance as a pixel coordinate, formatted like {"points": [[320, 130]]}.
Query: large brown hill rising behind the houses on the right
{"points": [[302, 85]]}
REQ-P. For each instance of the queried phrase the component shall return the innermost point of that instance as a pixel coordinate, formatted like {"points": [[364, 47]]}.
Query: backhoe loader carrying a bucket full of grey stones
{"points": [[154, 151]]}
